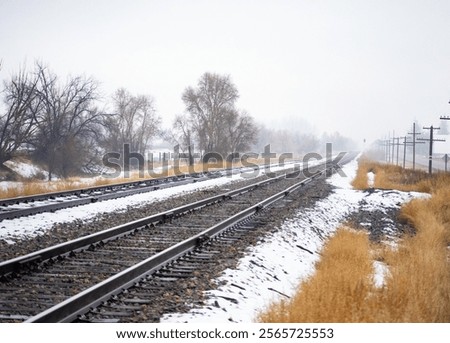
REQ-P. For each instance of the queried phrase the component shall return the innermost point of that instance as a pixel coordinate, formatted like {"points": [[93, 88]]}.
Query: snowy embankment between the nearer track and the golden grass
{"points": [[273, 269]]}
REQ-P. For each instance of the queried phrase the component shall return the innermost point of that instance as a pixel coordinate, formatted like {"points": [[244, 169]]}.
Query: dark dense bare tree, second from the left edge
{"points": [[66, 123]]}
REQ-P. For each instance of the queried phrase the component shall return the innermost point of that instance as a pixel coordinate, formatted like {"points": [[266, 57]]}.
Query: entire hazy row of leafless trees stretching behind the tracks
{"points": [[67, 126]]}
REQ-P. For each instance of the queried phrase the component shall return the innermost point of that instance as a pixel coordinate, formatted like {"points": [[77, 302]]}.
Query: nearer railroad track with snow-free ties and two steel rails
{"points": [[65, 282]]}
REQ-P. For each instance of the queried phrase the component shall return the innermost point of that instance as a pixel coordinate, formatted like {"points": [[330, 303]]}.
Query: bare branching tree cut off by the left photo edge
{"points": [[17, 123]]}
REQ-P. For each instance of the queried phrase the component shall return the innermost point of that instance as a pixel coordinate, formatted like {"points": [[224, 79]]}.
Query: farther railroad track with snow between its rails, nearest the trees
{"points": [[34, 204]]}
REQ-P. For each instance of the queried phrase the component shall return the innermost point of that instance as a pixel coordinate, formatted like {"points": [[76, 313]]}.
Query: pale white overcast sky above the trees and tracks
{"points": [[363, 68]]}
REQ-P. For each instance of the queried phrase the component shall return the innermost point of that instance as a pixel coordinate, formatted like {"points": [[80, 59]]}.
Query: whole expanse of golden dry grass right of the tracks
{"points": [[417, 286]]}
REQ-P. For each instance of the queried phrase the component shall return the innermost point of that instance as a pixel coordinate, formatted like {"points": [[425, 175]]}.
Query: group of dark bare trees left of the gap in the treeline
{"points": [[60, 125]]}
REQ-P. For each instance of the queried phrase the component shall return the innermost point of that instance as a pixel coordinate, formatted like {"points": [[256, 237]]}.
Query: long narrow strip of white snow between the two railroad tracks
{"points": [[37, 224]]}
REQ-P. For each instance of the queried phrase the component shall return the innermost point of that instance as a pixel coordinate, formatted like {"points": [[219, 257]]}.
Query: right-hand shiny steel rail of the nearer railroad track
{"points": [[72, 307]]}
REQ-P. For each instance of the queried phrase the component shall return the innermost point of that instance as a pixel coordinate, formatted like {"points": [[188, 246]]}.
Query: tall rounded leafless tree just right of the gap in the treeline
{"points": [[215, 121]]}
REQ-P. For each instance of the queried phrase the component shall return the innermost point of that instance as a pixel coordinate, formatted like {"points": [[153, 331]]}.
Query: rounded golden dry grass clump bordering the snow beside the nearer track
{"points": [[339, 289]]}
